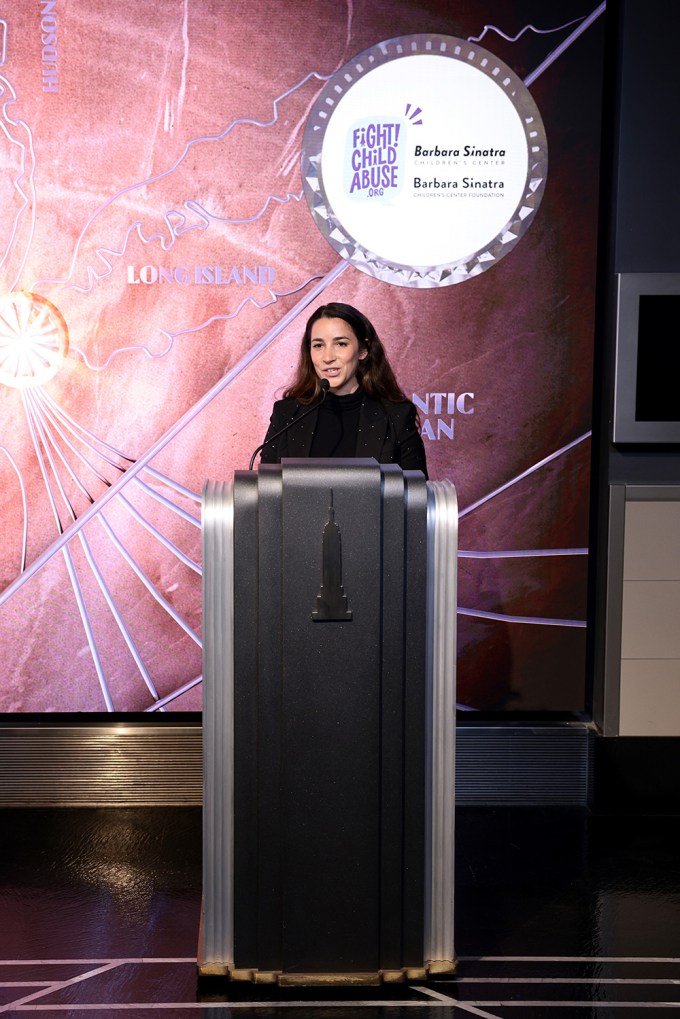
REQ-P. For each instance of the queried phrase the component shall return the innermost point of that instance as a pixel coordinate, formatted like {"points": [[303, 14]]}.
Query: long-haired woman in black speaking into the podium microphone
{"points": [[345, 400]]}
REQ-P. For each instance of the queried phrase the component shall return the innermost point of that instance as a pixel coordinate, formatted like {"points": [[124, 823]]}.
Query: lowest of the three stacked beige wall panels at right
{"points": [[650, 699]]}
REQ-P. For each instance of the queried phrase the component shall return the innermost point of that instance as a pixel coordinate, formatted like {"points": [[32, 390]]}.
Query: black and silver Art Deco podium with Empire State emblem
{"points": [[330, 650]]}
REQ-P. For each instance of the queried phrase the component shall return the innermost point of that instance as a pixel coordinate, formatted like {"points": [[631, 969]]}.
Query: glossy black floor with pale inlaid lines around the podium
{"points": [[559, 915]]}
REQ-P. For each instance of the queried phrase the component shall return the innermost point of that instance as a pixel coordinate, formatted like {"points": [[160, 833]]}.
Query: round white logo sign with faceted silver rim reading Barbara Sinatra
{"points": [[425, 160]]}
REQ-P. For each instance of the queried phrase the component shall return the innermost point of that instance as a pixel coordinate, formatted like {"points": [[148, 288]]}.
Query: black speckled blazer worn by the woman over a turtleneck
{"points": [[389, 433]]}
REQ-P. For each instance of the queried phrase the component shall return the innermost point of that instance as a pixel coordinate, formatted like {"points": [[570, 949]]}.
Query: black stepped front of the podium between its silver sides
{"points": [[330, 593]]}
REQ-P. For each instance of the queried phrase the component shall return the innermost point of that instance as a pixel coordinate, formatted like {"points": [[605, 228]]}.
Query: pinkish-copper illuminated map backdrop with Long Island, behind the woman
{"points": [[155, 201]]}
